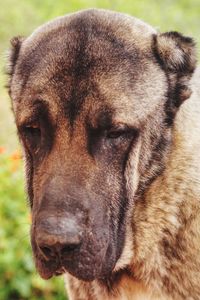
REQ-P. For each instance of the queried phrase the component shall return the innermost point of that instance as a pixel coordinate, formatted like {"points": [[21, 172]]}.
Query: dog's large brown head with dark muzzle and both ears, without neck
{"points": [[94, 96]]}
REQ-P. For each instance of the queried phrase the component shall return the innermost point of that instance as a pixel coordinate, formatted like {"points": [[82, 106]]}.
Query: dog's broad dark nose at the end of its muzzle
{"points": [[58, 236]]}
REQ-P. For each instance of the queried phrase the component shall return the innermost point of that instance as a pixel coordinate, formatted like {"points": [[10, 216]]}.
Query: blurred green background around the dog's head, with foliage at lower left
{"points": [[18, 278]]}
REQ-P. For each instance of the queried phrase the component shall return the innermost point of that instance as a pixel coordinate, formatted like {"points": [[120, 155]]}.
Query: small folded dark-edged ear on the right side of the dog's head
{"points": [[177, 56]]}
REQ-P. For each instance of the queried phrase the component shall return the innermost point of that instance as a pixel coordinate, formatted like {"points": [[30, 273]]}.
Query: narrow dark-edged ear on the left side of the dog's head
{"points": [[13, 55]]}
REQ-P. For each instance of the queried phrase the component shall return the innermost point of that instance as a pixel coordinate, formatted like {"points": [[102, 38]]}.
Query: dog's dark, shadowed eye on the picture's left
{"points": [[32, 137]]}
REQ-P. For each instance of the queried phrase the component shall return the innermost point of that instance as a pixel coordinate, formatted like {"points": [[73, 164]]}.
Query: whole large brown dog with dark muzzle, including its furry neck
{"points": [[112, 155]]}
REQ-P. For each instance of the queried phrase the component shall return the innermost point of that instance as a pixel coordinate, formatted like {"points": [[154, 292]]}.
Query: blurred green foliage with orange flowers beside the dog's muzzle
{"points": [[18, 278]]}
